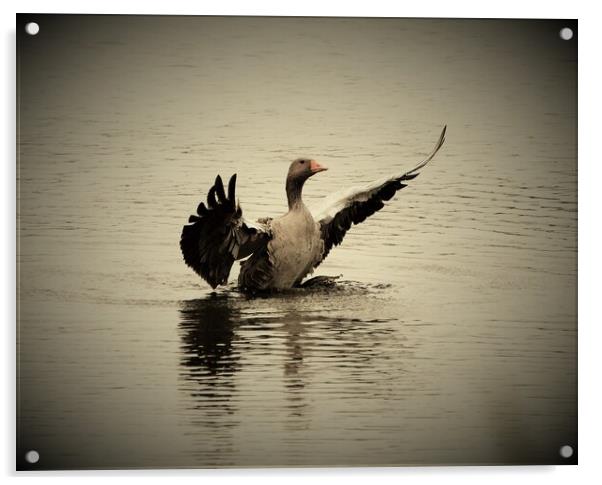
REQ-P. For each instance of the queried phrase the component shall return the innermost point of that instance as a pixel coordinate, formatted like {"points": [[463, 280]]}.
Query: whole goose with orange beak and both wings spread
{"points": [[277, 253]]}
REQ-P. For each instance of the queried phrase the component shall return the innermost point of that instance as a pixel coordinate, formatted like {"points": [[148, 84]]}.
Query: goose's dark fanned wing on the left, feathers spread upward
{"points": [[218, 235]]}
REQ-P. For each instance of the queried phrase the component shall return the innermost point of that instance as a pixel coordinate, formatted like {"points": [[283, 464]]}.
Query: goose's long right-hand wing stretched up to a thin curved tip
{"points": [[354, 205]]}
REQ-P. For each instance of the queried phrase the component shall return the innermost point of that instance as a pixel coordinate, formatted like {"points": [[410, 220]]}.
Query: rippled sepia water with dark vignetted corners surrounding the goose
{"points": [[451, 336]]}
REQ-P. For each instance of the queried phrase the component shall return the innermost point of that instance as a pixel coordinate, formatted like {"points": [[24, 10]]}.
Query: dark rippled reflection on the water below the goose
{"points": [[301, 342]]}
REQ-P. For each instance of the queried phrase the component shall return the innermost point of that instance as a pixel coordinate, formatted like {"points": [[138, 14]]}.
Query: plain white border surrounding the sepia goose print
{"points": [[590, 247]]}
